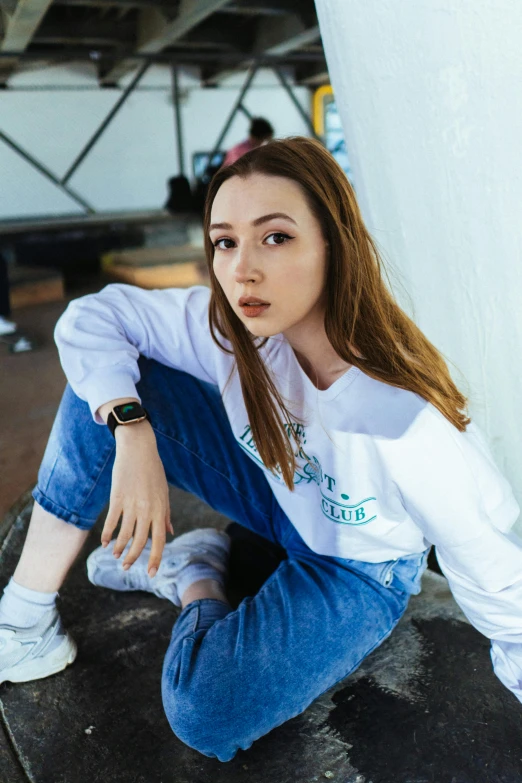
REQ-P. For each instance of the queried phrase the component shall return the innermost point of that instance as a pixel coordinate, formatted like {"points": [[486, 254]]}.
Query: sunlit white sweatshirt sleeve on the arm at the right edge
{"points": [[453, 490]]}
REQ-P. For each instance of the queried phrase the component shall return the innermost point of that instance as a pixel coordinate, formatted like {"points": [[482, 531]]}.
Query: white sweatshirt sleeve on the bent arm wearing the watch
{"points": [[101, 336]]}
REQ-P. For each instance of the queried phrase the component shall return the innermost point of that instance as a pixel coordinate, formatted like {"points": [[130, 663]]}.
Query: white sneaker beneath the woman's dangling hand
{"points": [[205, 545]]}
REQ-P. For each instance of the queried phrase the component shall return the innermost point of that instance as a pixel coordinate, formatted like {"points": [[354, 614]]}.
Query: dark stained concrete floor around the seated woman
{"points": [[424, 708]]}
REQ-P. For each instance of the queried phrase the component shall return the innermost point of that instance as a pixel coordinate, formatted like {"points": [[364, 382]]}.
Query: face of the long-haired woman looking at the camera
{"points": [[268, 250]]}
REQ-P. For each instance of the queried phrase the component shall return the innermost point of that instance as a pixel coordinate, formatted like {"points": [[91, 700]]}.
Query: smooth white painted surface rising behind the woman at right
{"points": [[429, 95]]}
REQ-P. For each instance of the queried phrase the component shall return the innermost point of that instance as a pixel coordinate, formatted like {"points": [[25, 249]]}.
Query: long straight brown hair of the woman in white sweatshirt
{"points": [[364, 324]]}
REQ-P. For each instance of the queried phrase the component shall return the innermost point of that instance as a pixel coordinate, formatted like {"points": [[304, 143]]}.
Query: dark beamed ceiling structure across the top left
{"points": [[222, 36]]}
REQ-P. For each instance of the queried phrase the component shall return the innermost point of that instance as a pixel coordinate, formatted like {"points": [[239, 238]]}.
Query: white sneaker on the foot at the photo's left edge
{"points": [[36, 652]]}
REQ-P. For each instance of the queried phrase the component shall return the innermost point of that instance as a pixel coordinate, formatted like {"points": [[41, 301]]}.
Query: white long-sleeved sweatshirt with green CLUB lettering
{"points": [[381, 473]]}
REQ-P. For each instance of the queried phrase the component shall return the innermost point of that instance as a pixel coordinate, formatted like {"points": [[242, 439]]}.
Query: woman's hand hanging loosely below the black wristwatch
{"points": [[139, 493]]}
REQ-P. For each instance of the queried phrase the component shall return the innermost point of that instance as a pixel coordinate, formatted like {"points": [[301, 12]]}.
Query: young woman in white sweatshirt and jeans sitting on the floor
{"points": [[296, 398]]}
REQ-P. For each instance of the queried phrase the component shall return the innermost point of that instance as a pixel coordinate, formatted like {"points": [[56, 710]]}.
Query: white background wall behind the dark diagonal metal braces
{"points": [[130, 164]]}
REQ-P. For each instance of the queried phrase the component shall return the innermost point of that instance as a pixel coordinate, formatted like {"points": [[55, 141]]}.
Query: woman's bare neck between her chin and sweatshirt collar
{"points": [[315, 353]]}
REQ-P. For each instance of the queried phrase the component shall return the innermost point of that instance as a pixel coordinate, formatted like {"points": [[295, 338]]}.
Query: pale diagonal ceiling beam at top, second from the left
{"points": [[155, 32]]}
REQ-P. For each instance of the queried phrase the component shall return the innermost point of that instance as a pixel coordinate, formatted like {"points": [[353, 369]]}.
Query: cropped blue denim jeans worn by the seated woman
{"points": [[230, 676]]}
